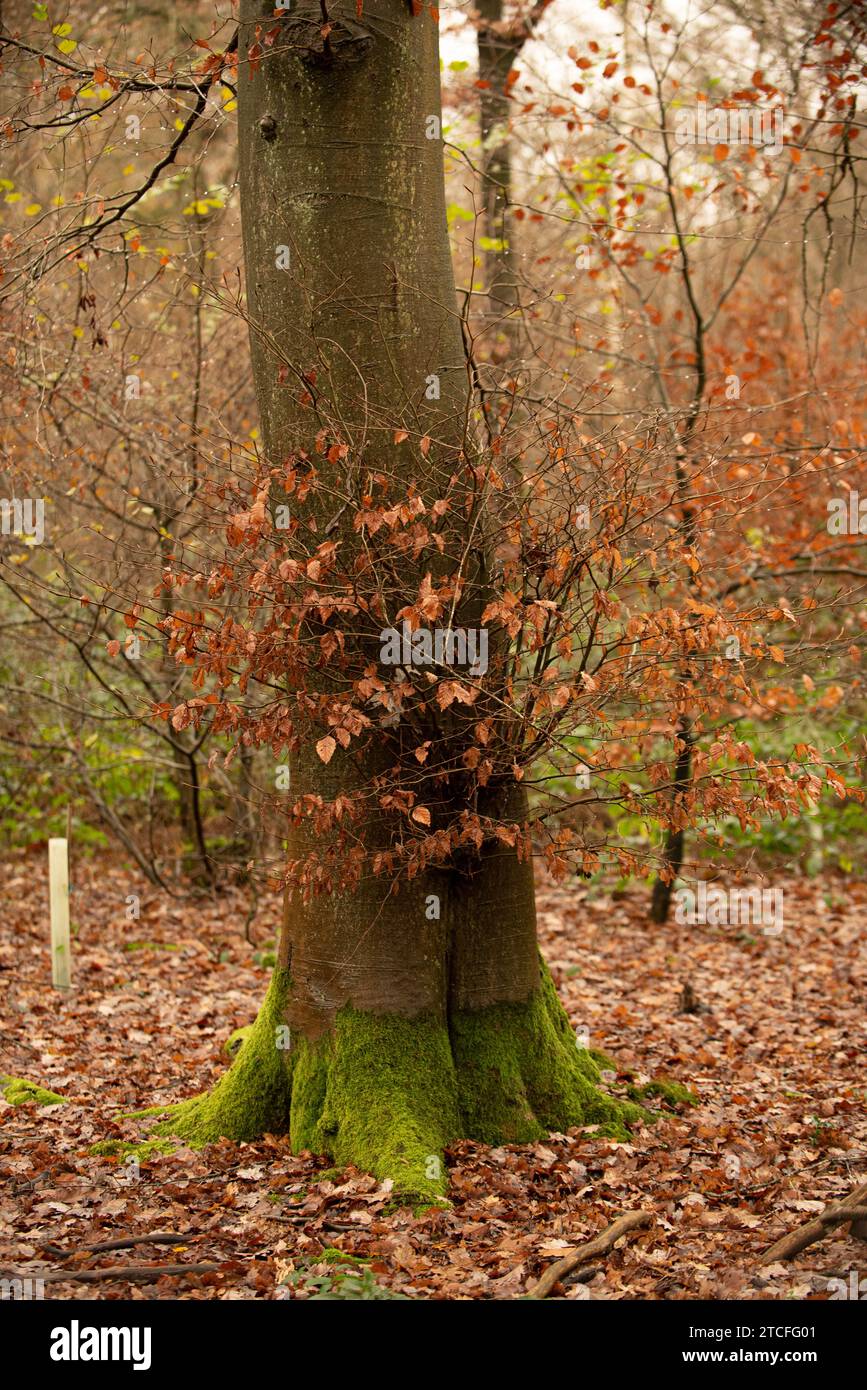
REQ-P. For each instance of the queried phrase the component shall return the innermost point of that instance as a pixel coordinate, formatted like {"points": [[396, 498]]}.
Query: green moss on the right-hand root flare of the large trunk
{"points": [[522, 1074]]}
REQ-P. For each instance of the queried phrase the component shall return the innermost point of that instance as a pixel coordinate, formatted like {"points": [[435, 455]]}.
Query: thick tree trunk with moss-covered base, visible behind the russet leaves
{"points": [[397, 1021]]}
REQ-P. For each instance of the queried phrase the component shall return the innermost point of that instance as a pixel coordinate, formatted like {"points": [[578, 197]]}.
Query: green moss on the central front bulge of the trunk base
{"points": [[379, 1092]]}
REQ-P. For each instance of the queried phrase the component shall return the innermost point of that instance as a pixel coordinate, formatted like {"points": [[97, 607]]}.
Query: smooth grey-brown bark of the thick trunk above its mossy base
{"points": [[338, 170]]}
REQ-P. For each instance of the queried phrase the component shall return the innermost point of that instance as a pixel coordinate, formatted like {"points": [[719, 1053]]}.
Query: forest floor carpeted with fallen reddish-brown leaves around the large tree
{"points": [[776, 1056]]}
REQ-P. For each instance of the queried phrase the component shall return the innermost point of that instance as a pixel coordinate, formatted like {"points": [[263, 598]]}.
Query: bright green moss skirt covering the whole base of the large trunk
{"points": [[388, 1095]]}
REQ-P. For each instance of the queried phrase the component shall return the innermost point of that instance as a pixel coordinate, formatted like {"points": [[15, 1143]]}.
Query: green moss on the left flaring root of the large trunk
{"points": [[254, 1096]]}
